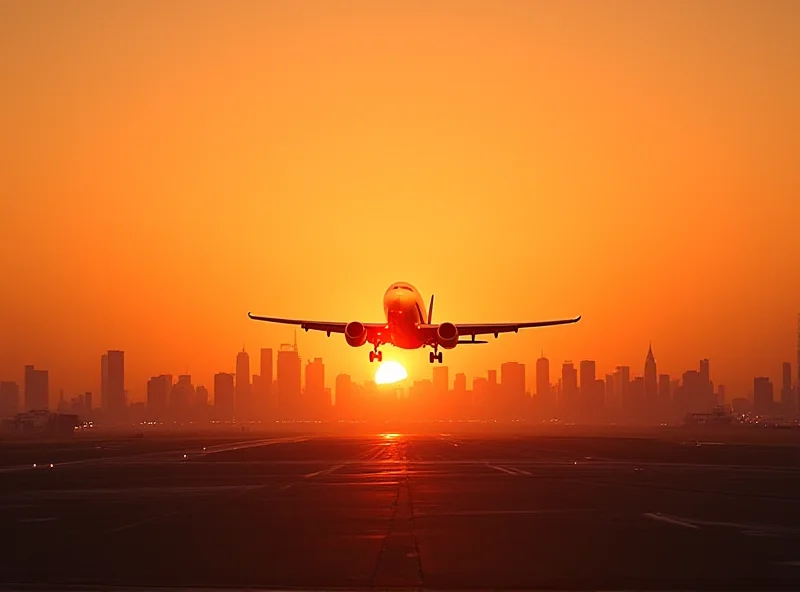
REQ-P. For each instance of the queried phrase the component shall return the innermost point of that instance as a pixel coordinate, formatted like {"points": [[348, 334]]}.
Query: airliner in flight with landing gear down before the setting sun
{"points": [[407, 327]]}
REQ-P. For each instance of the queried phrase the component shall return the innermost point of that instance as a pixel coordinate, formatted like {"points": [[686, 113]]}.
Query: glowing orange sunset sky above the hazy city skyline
{"points": [[168, 165]]}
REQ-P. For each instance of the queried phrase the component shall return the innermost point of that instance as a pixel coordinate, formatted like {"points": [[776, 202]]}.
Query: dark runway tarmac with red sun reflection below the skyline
{"points": [[557, 510]]}
